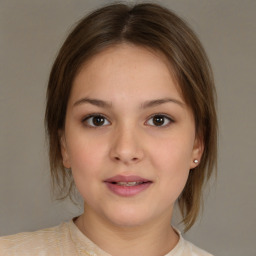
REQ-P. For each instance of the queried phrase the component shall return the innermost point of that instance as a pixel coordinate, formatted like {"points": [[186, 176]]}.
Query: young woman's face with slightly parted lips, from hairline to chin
{"points": [[129, 137]]}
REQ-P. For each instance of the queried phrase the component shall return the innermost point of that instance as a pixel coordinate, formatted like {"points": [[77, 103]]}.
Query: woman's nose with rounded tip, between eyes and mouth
{"points": [[126, 146]]}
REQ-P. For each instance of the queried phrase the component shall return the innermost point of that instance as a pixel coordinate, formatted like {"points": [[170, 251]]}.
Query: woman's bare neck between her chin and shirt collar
{"points": [[155, 238]]}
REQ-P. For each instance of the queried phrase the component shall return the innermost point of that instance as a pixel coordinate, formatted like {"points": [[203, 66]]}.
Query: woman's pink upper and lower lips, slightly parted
{"points": [[127, 191]]}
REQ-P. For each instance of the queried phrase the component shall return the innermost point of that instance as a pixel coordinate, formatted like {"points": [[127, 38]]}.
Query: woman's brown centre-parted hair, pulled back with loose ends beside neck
{"points": [[155, 27]]}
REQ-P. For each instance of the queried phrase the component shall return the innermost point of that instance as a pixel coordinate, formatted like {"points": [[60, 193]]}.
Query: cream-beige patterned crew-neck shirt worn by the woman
{"points": [[66, 239]]}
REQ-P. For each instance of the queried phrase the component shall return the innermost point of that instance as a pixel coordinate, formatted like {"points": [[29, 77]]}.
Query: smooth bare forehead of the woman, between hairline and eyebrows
{"points": [[125, 66]]}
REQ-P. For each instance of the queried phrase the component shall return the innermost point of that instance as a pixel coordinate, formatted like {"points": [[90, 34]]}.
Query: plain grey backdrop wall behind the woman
{"points": [[31, 32]]}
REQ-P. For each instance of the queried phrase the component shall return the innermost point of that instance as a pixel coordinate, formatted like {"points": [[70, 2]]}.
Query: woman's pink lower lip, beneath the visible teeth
{"points": [[127, 191]]}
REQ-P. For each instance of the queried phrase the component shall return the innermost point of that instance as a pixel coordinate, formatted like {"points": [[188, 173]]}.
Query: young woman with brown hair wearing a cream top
{"points": [[131, 122]]}
